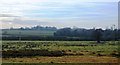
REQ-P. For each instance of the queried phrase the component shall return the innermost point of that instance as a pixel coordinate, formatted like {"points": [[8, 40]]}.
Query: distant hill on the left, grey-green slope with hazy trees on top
{"points": [[33, 31]]}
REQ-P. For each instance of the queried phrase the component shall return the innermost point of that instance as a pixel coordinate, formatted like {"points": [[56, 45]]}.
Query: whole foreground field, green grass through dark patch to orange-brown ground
{"points": [[60, 52]]}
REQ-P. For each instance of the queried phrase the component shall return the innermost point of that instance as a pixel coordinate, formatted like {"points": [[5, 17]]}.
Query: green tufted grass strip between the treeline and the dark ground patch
{"points": [[105, 48]]}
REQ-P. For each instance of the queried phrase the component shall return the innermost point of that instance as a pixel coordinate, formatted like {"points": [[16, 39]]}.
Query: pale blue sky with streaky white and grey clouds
{"points": [[59, 13]]}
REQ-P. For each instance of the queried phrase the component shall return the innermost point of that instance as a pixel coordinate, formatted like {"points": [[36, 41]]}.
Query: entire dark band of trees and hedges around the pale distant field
{"points": [[70, 34]]}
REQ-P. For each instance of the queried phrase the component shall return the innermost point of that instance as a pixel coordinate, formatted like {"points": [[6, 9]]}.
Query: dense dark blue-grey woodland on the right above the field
{"points": [[91, 34]]}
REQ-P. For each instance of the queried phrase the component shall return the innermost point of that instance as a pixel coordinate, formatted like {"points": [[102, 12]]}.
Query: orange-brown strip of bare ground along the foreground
{"points": [[64, 59]]}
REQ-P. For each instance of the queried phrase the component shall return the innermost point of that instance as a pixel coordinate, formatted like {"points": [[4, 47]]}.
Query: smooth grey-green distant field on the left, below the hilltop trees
{"points": [[29, 32]]}
